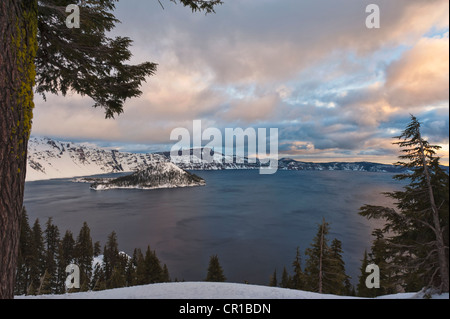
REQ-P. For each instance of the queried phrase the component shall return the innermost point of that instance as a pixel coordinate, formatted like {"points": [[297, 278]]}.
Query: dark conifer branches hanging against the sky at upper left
{"points": [[88, 61]]}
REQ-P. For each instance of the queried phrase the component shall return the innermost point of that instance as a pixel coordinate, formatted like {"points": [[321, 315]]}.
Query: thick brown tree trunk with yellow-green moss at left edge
{"points": [[18, 24]]}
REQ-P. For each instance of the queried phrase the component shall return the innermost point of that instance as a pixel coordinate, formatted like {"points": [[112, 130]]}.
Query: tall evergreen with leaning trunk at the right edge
{"points": [[417, 231]]}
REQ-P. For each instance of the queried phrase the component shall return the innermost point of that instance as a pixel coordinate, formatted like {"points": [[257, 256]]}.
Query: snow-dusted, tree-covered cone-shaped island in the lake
{"points": [[154, 176]]}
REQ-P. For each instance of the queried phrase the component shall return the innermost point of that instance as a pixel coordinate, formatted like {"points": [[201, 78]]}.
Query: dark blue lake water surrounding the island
{"points": [[252, 222]]}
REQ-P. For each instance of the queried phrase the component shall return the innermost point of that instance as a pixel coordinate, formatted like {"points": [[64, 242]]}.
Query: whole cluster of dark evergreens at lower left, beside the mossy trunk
{"points": [[44, 256]]}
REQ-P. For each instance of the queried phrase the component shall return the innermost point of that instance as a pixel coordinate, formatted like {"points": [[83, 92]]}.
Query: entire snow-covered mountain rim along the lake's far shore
{"points": [[49, 159]]}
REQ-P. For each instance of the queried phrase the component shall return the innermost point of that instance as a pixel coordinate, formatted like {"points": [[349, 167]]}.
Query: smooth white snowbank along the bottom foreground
{"points": [[204, 290]]}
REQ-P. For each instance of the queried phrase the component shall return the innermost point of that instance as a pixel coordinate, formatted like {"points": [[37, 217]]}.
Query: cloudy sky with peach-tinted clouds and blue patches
{"points": [[335, 89]]}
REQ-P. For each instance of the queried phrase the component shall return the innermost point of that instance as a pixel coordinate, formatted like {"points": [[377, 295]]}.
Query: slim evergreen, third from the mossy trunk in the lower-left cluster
{"points": [[52, 243]]}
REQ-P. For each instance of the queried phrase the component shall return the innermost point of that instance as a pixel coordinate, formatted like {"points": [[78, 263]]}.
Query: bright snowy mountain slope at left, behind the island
{"points": [[49, 159]]}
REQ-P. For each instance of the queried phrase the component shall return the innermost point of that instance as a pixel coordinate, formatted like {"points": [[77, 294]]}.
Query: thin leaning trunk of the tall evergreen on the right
{"points": [[440, 244]]}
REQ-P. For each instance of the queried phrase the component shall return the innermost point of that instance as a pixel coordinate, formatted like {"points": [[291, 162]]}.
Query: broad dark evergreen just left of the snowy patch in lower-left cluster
{"points": [[84, 252]]}
